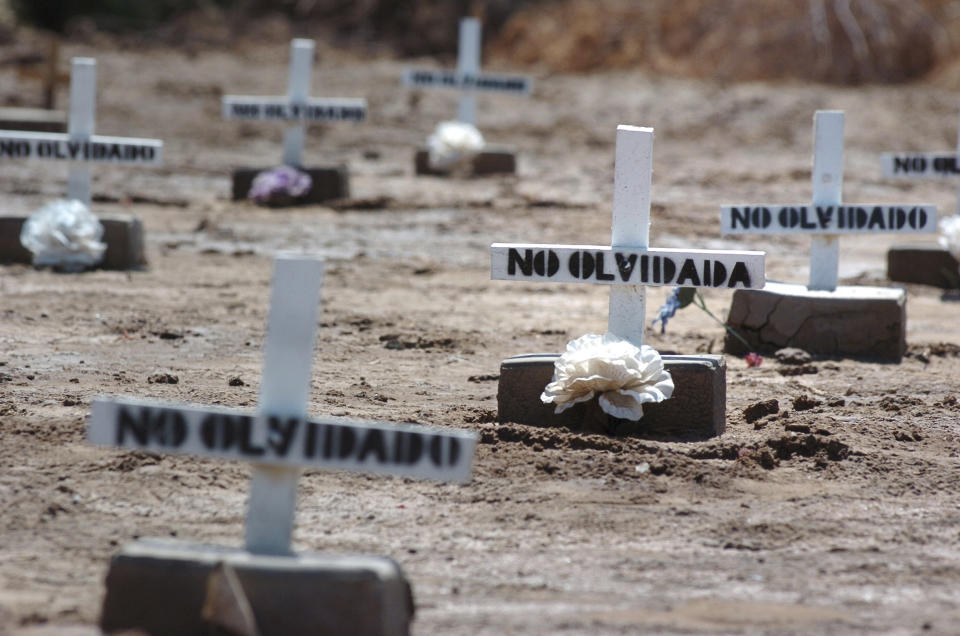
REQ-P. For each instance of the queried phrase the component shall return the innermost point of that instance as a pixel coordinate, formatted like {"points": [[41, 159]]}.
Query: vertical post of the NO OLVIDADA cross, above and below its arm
{"points": [[632, 175]]}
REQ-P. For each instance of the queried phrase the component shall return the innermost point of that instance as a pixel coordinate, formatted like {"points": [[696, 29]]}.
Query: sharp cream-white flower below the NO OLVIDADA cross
{"points": [[624, 375]]}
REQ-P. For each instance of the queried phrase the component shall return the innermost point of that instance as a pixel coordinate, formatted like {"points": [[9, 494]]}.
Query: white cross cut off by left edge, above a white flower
{"points": [[80, 144]]}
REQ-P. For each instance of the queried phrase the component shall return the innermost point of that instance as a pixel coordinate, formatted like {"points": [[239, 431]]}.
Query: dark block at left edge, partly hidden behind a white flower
{"points": [[122, 234]]}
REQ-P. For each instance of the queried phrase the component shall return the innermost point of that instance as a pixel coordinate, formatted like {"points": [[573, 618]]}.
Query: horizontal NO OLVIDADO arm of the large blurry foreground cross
{"points": [[330, 443]]}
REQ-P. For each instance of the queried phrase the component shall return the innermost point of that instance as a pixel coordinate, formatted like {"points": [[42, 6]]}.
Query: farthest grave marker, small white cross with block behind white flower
{"points": [[469, 80]]}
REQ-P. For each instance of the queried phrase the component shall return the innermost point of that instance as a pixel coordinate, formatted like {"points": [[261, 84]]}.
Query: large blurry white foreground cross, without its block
{"points": [[279, 439]]}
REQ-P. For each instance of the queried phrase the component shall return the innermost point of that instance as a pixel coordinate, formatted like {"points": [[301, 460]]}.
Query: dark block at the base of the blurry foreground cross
{"points": [[161, 587]]}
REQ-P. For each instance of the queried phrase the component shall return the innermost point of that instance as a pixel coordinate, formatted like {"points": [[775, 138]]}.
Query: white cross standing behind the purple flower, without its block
{"points": [[296, 106]]}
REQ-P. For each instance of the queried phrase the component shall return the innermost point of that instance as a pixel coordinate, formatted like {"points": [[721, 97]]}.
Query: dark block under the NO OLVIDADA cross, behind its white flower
{"points": [[696, 411]]}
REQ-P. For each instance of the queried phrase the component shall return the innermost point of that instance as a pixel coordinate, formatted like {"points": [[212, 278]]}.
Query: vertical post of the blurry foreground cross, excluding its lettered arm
{"points": [[284, 392]]}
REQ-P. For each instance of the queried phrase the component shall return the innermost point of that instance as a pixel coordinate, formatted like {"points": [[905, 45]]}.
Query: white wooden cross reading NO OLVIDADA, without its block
{"points": [[629, 263]]}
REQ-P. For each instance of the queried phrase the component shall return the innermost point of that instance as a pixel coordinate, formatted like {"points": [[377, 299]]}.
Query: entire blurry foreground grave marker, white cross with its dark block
{"points": [[162, 587]]}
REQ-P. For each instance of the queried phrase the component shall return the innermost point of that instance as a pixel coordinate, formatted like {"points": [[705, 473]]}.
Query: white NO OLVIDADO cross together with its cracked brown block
{"points": [[822, 317]]}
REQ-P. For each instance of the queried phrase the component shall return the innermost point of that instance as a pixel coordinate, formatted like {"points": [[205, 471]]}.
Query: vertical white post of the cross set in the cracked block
{"points": [[827, 190]]}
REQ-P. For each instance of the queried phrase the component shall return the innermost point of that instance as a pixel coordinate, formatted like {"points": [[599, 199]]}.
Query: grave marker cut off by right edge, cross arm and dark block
{"points": [[925, 264]]}
